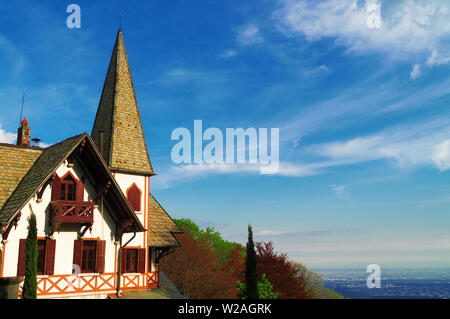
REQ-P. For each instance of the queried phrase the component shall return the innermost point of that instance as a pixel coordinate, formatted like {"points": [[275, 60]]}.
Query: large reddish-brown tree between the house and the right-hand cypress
{"points": [[192, 268]]}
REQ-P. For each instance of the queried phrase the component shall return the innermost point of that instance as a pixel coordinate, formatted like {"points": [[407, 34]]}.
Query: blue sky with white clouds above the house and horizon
{"points": [[363, 112]]}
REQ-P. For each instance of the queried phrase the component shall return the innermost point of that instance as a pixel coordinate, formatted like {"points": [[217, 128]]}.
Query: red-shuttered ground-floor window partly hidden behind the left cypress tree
{"points": [[45, 260]]}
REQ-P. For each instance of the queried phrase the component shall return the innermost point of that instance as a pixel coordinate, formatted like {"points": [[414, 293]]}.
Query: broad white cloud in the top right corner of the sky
{"points": [[405, 27]]}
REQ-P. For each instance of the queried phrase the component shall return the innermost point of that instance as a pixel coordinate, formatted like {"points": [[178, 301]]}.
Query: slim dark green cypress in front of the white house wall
{"points": [[31, 255]]}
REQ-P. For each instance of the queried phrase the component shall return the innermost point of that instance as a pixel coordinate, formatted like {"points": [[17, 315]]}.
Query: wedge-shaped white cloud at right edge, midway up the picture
{"points": [[406, 145]]}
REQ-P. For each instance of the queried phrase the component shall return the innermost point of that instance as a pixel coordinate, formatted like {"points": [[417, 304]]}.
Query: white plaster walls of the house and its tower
{"points": [[103, 227]]}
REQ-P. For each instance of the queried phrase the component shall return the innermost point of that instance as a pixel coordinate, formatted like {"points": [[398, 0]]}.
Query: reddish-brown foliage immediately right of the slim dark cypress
{"points": [[280, 272]]}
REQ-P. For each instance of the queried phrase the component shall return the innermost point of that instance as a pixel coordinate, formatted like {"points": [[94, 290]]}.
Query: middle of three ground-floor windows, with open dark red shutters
{"points": [[89, 256]]}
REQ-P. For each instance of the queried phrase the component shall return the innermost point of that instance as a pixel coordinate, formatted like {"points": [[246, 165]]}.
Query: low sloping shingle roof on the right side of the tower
{"points": [[161, 226]]}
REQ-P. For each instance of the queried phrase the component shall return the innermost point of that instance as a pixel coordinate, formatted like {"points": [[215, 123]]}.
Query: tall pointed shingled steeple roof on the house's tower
{"points": [[118, 128]]}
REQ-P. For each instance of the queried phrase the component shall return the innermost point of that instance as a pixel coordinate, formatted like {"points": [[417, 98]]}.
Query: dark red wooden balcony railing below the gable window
{"points": [[72, 212]]}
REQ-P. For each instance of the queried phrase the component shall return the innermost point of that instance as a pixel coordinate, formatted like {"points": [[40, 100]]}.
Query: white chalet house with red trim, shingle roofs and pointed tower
{"points": [[100, 231]]}
